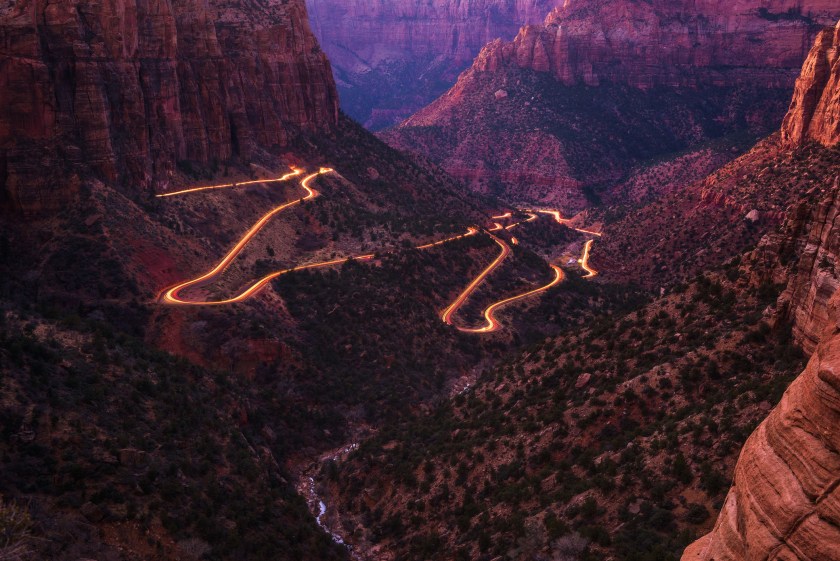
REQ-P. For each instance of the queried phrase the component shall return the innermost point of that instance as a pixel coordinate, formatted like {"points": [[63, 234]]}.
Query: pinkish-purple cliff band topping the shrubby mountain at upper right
{"points": [[668, 42]]}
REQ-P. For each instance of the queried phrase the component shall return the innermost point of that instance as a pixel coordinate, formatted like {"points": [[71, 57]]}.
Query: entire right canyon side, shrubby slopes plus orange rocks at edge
{"points": [[565, 463]]}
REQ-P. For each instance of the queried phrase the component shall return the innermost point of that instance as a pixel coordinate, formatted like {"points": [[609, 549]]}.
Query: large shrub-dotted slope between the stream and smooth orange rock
{"points": [[620, 435]]}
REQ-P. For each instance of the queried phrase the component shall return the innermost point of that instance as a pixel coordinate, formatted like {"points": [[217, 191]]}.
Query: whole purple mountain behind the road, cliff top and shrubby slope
{"points": [[601, 88]]}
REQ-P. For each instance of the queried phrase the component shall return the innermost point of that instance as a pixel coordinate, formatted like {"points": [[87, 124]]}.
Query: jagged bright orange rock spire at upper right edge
{"points": [[815, 111]]}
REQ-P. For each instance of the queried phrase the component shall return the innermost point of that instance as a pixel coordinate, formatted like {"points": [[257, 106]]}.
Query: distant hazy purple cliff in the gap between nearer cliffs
{"points": [[393, 57]]}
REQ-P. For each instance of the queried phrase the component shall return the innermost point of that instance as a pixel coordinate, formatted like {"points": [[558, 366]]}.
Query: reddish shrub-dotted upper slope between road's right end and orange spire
{"points": [[677, 235]]}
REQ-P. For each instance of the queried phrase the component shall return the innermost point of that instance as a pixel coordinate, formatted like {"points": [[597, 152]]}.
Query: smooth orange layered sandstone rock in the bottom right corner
{"points": [[785, 500]]}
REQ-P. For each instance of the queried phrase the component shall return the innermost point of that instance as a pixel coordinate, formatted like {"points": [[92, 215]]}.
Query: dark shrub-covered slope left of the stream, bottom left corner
{"points": [[118, 451]]}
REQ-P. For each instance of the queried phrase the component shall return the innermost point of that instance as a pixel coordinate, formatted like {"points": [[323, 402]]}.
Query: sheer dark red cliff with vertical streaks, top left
{"points": [[126, 89]]}
